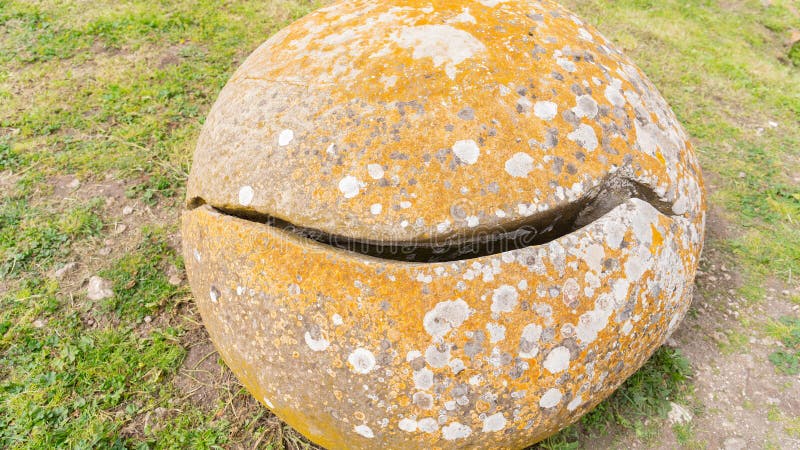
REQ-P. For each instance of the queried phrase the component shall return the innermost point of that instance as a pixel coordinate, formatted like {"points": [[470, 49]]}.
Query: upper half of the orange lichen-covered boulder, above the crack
{"points": [[410, 120]]}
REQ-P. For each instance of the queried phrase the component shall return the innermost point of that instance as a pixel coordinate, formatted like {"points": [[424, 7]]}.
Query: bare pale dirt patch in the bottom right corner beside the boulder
{"points": [[735, 383]]}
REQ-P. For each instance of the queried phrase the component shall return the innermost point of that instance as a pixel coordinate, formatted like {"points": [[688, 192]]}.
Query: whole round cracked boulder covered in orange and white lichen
{"points": [[440, 224]]}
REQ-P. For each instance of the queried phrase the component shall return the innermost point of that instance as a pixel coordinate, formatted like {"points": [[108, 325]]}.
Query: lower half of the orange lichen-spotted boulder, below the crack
{"points": [[494, 352]]}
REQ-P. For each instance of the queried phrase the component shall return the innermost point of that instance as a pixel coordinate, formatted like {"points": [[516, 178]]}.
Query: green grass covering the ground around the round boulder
{"points": [[116, 92]]}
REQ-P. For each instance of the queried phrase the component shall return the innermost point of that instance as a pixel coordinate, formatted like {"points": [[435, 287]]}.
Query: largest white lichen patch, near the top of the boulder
{"points": [[444, 44]]}
